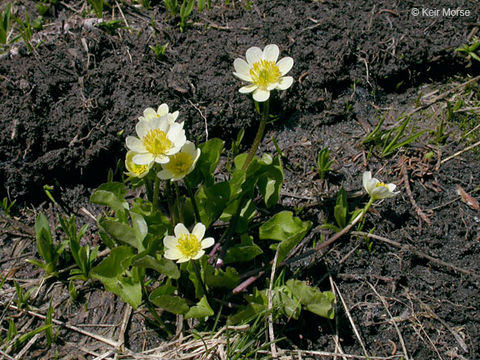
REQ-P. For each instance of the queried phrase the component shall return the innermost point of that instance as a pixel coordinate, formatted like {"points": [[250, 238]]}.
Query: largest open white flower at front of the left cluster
{"points": [[157, 140]]}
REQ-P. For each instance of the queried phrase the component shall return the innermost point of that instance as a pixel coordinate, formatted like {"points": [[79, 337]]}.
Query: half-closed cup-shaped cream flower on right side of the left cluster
{"points": [[181, 164]]}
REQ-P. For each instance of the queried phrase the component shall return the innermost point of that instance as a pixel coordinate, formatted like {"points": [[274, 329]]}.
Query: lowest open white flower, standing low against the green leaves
{"points": [[185, 246]]}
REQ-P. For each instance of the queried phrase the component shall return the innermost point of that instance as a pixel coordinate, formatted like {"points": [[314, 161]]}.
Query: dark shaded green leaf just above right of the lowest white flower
{"points": [[211, 201]]}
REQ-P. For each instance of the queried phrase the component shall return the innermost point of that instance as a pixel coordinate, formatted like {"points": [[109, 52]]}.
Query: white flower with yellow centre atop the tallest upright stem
{"points": [[263, 71]]}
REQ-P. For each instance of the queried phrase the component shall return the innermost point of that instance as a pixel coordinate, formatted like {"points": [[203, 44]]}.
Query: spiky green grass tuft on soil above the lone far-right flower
{"points": [[389, 141]]}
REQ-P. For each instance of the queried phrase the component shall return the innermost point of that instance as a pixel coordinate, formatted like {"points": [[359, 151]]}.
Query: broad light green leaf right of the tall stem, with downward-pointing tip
{"points": [[286, 228]]}
